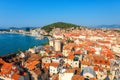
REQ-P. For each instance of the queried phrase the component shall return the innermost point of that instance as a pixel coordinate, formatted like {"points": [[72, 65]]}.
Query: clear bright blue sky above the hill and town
{"points": [[37, 13]]}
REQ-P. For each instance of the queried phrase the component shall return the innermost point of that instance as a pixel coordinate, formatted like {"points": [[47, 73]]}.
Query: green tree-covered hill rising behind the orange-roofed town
{"points": [[61, 25]]}
